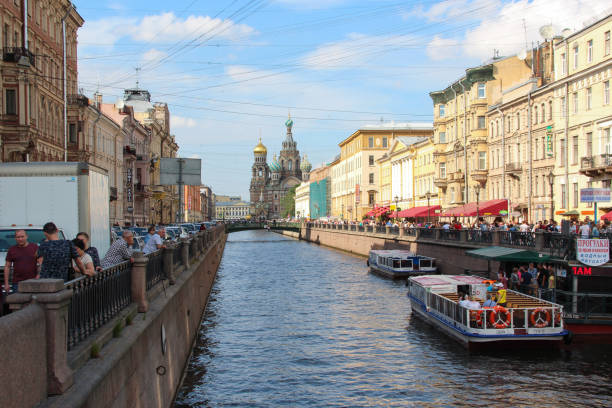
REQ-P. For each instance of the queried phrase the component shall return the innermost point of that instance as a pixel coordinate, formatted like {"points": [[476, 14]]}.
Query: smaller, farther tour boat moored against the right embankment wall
{"points": [[398, 264]]}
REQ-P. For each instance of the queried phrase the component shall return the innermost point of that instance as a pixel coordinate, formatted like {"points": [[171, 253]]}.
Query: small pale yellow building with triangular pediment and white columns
{"points": [[407, 172]]}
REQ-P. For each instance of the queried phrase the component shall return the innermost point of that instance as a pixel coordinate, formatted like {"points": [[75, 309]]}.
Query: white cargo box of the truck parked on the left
{"points": [[74, 196]]}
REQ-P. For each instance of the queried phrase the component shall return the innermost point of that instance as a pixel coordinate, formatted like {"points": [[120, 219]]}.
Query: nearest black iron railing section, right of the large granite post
{"points": [[96, 300]]}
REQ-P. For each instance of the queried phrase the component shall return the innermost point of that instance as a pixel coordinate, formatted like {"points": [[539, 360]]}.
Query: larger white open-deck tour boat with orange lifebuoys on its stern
{"points": [[524, 318]]}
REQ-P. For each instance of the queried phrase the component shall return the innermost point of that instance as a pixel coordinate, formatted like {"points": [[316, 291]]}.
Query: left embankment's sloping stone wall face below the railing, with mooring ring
{"points": [[144, 366]]}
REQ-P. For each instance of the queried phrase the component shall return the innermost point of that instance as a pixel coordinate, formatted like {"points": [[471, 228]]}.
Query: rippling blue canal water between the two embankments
{"points": [[292, 324]]}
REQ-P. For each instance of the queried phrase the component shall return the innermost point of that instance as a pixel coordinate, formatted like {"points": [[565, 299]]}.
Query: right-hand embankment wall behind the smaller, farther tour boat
{"points": [[450, 256]]}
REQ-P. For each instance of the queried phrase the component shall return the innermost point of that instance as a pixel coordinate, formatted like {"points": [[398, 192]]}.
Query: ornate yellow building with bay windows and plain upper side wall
{"points": [[460, 127]]}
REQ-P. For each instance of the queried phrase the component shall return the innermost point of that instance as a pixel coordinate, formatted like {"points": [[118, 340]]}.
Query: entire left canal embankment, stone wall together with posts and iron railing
{"points": [[121, 338]]}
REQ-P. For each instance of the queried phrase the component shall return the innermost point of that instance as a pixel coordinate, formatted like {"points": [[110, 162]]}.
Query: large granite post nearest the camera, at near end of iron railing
{"points": [[54, 299]]}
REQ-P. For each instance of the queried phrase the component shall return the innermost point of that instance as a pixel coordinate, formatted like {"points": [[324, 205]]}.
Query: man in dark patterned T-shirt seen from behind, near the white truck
{"points": [[57, 255]]}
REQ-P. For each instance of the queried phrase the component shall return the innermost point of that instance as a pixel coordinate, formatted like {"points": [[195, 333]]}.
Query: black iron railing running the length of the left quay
{"points": [[96, 300]]}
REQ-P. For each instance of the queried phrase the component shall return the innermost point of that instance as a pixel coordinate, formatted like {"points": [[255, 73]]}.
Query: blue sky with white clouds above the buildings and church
{"points": [[231, 70]]}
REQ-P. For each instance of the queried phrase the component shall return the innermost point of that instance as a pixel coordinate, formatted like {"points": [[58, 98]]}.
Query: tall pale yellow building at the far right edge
{"points": [[583, 115]]}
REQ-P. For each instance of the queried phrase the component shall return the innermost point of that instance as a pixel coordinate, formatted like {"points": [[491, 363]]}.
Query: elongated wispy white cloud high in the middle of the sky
{"points": [[356, 50]]}
